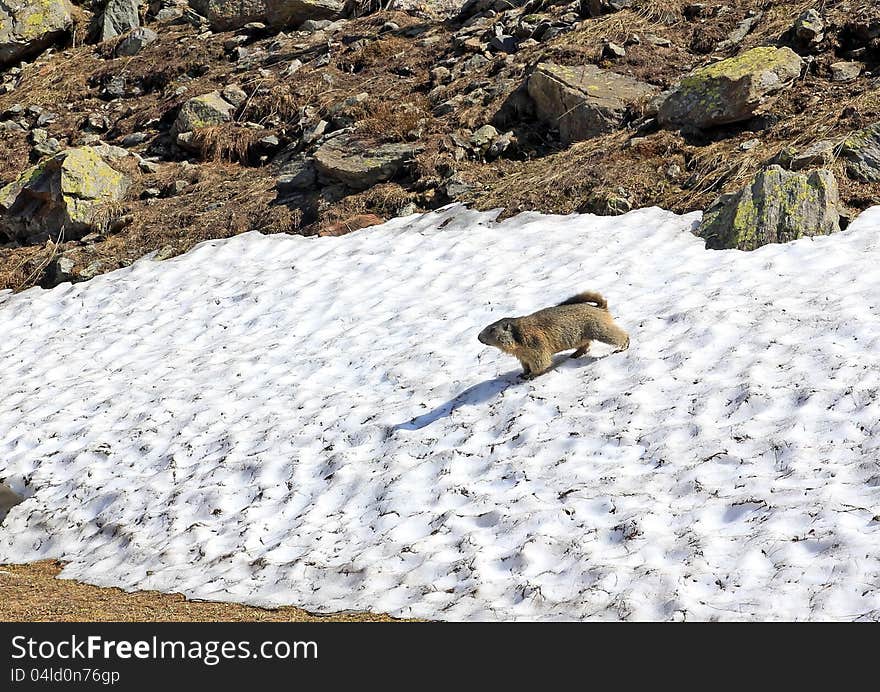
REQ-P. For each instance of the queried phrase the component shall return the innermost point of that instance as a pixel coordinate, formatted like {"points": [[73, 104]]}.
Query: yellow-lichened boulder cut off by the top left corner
{"points": [[29, 27]]}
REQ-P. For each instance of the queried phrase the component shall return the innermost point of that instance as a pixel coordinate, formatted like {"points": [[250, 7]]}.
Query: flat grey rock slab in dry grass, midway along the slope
{"points": [[360, 165]]}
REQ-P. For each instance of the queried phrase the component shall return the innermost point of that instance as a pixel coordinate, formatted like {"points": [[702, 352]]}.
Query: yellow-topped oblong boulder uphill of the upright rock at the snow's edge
{"points": [[730, 90]]}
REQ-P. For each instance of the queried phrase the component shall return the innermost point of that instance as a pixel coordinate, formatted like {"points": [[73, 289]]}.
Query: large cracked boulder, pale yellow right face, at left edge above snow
{"points": [[60, 192]]}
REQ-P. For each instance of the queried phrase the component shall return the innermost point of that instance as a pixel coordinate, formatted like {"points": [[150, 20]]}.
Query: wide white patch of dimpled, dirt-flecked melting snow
{"points": [[311, 421]]}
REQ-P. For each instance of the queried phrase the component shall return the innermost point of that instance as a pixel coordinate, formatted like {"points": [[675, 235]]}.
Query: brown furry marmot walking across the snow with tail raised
{"points": [[574, 323]]}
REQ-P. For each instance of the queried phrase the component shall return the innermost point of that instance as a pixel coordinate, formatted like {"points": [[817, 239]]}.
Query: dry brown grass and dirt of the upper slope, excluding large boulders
{"points": [[228, 185]]}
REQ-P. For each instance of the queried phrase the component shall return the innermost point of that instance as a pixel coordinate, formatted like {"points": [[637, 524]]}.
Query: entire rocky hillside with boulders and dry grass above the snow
{"points": [[129, 128]]}
